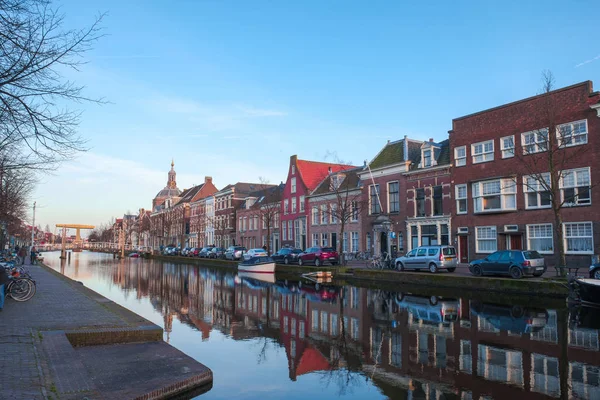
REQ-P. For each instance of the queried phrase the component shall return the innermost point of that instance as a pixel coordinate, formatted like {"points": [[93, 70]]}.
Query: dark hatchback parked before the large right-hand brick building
{"points": [[515, 263]]}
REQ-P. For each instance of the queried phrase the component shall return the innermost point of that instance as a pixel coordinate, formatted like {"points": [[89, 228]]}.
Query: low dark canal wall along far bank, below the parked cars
{"points": [[528, 286]]}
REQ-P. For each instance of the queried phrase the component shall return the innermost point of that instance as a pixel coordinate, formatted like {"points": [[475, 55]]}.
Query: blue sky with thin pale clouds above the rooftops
{"points": [[232, 89]]}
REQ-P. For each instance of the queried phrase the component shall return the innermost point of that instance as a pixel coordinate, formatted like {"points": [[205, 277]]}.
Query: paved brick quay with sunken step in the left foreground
{"points": [[70, 342]]}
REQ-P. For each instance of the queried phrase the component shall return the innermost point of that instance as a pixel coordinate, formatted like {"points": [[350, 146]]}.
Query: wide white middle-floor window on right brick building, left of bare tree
{"points": [[496, 195]]}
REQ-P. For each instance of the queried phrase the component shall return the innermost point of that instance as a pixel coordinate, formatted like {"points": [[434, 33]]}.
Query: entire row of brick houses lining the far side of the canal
{"points": [[493, 184]]}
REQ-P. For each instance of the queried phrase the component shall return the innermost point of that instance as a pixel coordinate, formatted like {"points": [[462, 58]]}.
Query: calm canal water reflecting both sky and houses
{"points": [[290, 339]]}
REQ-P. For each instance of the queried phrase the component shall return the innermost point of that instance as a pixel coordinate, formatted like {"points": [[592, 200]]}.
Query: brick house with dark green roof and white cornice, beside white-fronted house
{"points": [[384, 221]]}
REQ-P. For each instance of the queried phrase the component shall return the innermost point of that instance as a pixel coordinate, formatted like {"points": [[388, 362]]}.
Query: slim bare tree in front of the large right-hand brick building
{"points": [[546, 158]]}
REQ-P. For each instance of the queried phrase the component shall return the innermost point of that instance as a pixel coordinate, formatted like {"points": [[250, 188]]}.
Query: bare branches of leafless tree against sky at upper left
{"points": [[35, 48]]}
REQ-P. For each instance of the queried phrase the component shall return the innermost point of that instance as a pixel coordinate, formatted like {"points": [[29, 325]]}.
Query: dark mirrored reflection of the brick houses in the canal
{"points": [[409, 345]]}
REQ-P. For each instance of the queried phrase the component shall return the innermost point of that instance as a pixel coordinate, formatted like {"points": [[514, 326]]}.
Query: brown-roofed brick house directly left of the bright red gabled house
{"points": [[259, 209]]}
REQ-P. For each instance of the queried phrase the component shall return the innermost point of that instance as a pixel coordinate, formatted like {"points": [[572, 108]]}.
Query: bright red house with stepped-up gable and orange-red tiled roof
{"points": [[303, 177]]}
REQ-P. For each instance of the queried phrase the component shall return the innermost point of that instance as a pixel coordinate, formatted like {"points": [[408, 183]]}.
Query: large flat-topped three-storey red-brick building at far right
{"points": [[495, 154]]}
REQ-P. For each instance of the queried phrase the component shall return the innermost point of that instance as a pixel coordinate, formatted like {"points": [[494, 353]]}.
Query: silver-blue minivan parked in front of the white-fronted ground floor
{"points": [[431, 258]]}
